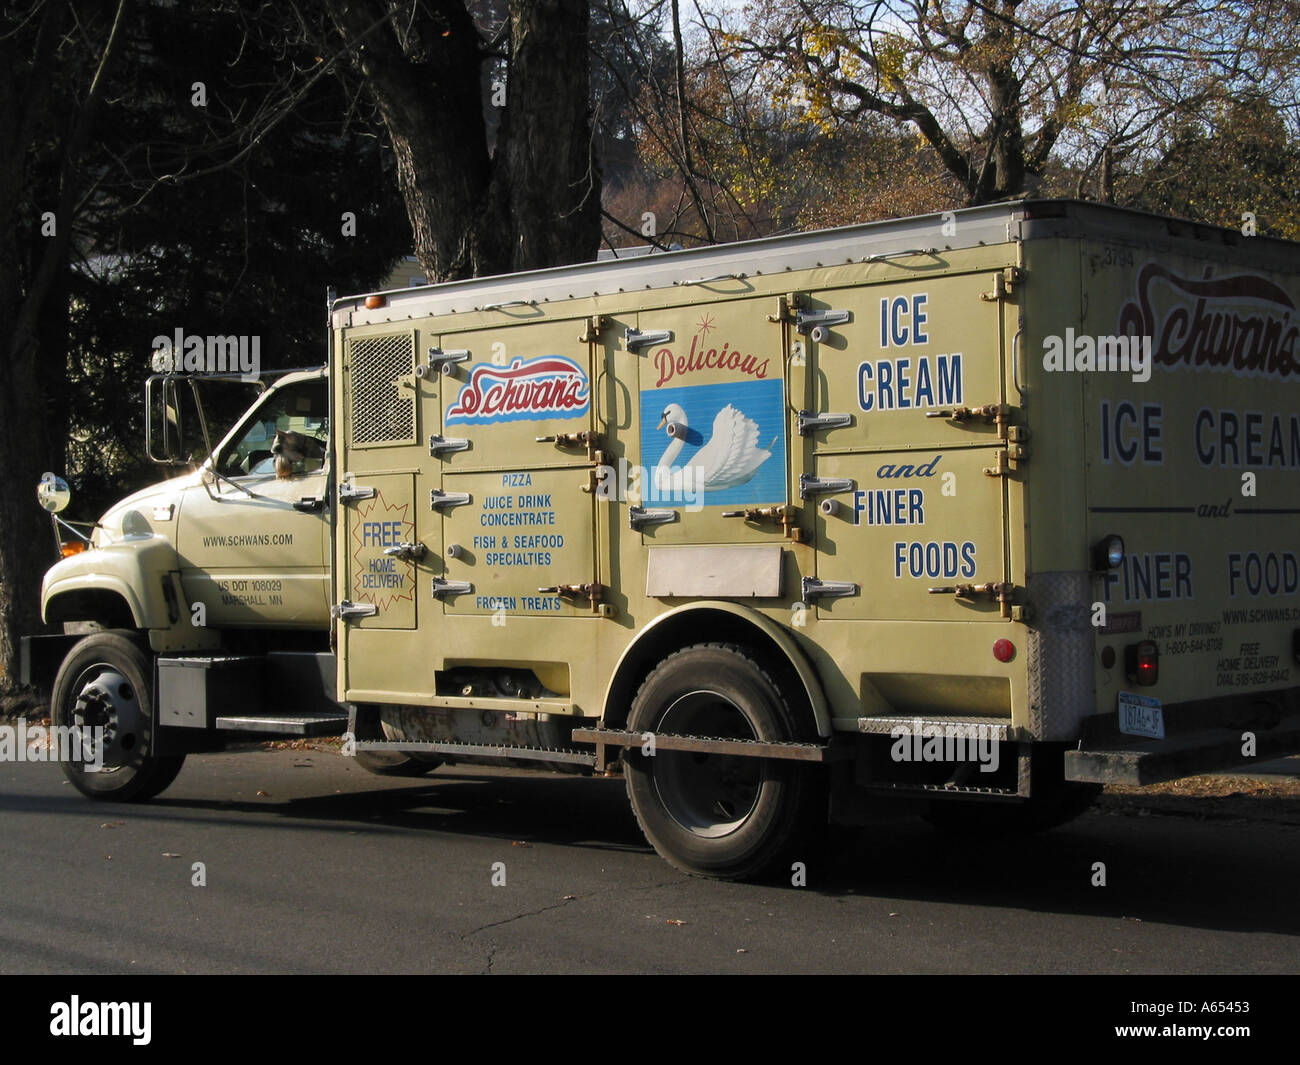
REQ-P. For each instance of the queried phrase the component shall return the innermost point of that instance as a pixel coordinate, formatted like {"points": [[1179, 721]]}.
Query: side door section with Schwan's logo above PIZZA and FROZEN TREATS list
{"points": [[517, 503]]}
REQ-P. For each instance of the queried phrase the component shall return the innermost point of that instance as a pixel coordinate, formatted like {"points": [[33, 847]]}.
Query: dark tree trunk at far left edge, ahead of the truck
{"points": [[47, 116]]}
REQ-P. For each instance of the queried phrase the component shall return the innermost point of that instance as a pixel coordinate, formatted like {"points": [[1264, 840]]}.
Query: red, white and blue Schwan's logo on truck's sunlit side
{"points": [[539, 389]]}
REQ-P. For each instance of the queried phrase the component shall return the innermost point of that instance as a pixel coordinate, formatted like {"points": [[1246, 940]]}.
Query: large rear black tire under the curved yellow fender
{"points": [[722, 816]]}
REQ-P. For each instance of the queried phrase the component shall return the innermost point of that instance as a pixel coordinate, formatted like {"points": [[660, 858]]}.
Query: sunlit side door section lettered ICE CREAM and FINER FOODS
{"points": [[915, 516]]}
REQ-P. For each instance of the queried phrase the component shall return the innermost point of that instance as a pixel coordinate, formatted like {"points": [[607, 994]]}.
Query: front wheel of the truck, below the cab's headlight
{"points": [[107, 681]]}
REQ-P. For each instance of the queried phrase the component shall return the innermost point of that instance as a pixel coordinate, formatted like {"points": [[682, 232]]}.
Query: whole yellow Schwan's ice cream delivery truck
{"points": [[973, 512]]}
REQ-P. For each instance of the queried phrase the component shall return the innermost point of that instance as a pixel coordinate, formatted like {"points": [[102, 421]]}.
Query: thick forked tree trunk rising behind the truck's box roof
{"points": [[535, 202]]}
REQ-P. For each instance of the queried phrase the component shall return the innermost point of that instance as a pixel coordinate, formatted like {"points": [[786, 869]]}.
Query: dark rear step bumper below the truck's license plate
{"points": [[1155, 761]]}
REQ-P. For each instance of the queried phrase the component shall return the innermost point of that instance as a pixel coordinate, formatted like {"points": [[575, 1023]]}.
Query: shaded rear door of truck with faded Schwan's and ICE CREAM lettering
{"points": [[1193, 457]]}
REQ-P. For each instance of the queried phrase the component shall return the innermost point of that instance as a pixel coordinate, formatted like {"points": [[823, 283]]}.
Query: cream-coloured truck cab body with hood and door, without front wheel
{"points": [[231, 546]]}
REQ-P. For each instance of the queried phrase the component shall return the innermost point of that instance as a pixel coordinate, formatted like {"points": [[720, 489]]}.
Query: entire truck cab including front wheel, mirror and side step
{"points": [[200, 607]]}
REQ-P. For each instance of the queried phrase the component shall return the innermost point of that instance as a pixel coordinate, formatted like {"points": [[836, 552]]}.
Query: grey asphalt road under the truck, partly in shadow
{"points": [[315, 867]]}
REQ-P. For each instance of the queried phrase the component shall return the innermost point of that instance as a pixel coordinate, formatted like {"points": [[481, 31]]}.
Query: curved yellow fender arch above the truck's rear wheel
{"points": [[699, 627]]}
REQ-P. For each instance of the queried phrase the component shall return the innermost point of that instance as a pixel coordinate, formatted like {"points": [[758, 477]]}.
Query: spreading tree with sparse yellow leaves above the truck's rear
{"points": [[998, 89]]}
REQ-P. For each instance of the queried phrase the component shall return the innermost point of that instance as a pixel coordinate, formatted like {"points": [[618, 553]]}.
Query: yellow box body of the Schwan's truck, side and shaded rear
{"points": [[978, 461]]}
